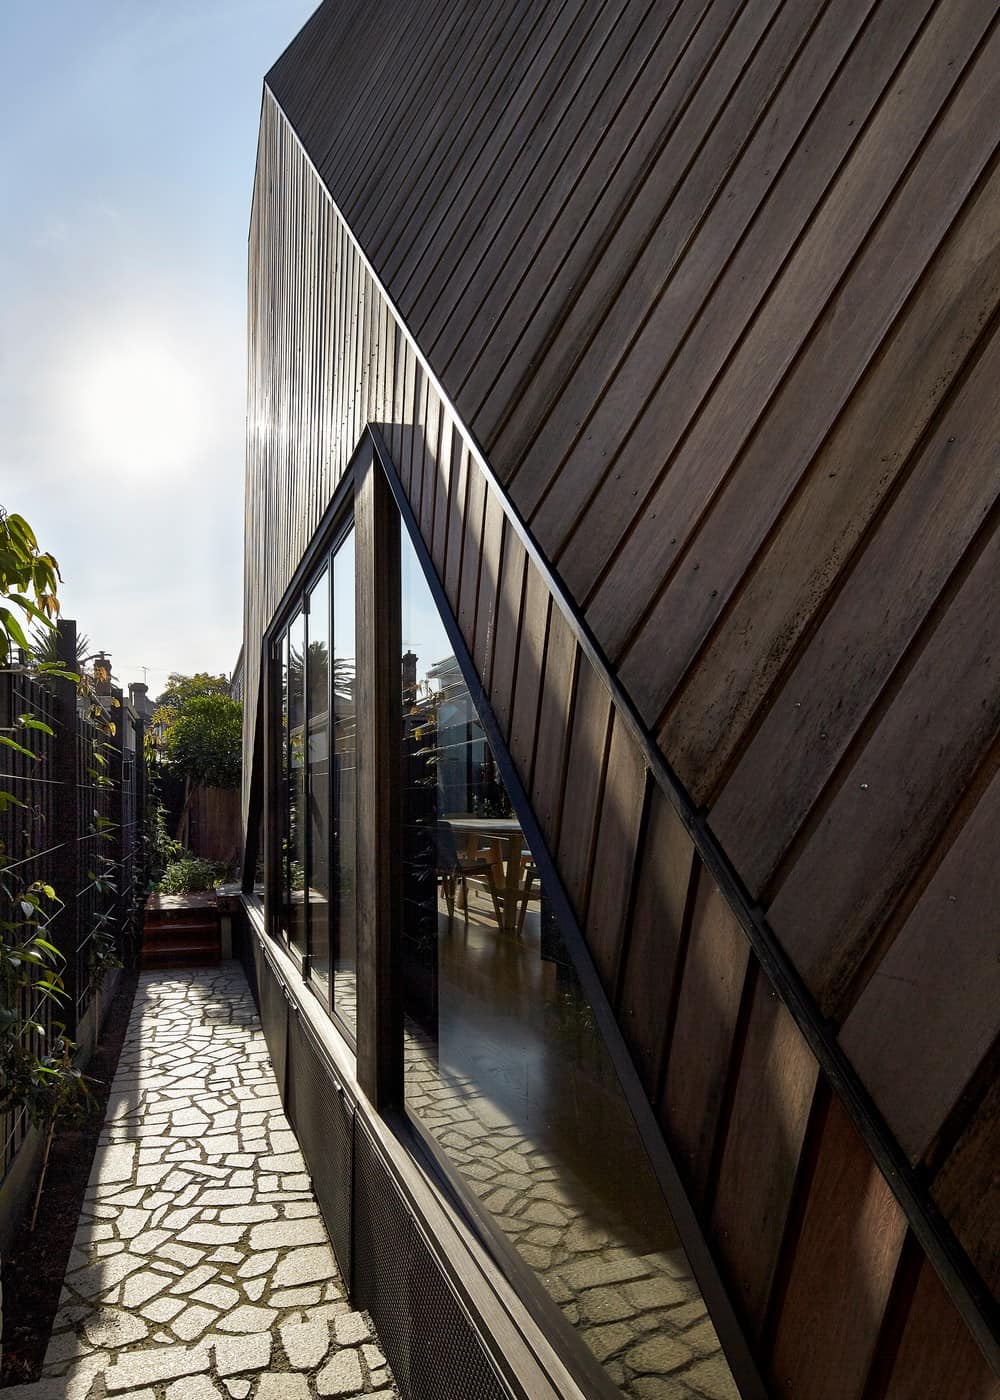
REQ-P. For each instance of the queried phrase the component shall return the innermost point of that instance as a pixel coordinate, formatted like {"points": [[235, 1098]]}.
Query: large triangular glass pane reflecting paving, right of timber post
{"points": [[505, 1065]]}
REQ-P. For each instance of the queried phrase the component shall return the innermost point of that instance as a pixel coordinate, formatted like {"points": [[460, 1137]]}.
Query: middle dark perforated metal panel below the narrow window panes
{"points": [[324, 1122]]}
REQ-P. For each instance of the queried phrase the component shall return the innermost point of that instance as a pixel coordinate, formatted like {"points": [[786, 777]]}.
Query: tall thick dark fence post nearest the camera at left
{"points": [[67, 836]]}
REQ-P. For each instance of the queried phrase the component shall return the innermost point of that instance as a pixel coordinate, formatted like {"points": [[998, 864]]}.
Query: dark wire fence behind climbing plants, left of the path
{"points": [[78, 827]]}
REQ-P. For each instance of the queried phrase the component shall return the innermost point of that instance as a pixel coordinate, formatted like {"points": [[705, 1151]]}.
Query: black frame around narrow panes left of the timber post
{"points": [[333, 533]]}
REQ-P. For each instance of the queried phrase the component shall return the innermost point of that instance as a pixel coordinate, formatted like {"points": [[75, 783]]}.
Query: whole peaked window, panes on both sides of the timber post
{"points": [[508, 1080]]}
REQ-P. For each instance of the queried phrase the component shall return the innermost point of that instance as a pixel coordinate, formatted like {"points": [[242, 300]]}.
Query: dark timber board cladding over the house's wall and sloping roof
{"points": [[712, 289]]}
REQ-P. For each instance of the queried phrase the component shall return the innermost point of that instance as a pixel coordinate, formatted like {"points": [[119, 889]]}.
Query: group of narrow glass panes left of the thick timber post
{"points": [[316, 769]]}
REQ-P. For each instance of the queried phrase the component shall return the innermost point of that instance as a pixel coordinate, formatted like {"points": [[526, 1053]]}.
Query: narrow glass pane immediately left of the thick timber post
{"points": [[345, 785]]}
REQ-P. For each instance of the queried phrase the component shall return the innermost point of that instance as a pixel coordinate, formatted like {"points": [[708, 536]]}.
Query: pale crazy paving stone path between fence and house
{"points": [[201, 1266]]}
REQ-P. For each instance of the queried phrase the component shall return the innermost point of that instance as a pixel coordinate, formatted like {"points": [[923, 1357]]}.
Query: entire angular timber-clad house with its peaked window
{"points": [[623, 687]]}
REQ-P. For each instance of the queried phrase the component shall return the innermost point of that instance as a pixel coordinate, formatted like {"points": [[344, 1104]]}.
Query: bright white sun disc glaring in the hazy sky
{"points": [[141, 408]]}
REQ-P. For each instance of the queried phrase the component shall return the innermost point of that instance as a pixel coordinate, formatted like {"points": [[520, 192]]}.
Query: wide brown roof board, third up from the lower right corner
{"points": [[936, 731]]}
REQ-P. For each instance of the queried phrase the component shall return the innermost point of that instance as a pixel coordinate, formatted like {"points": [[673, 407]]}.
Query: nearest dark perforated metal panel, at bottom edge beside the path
{"points": [[432, 1346]]}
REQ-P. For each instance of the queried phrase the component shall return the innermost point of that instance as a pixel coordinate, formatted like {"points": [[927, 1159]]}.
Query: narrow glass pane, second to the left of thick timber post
{"points": [[317, 687]]}
